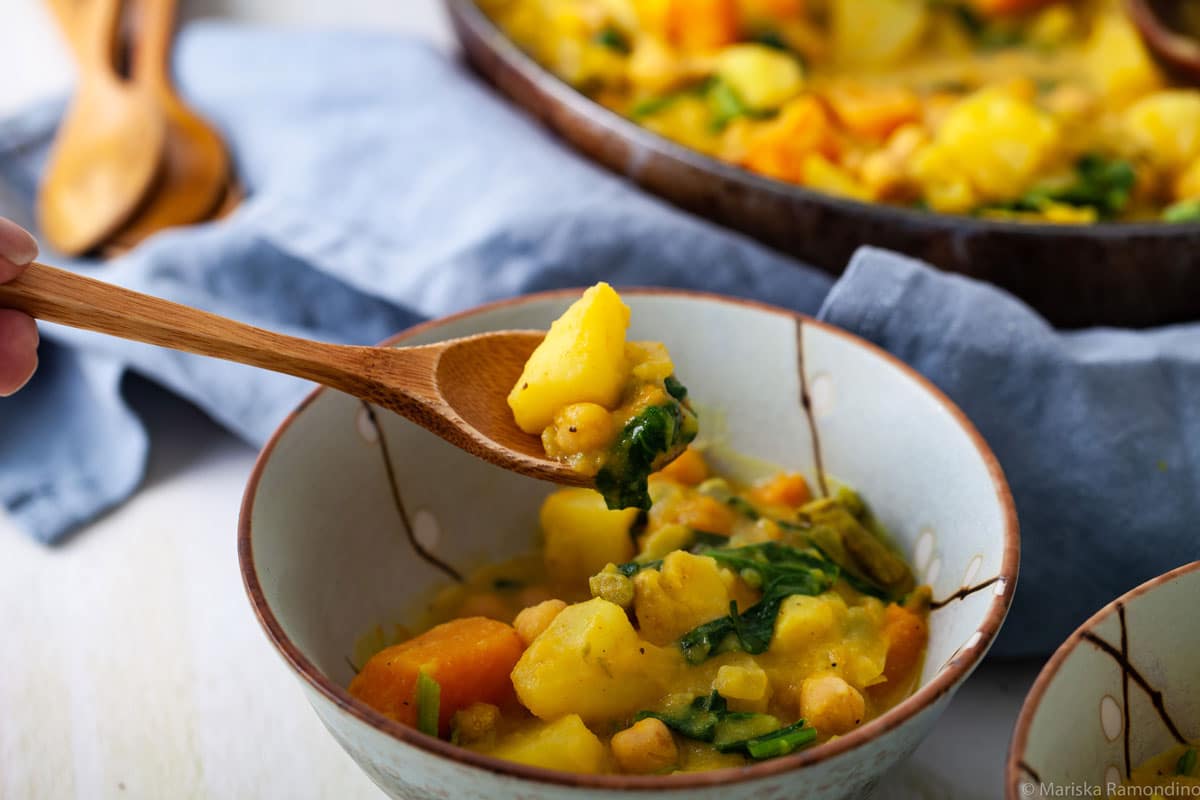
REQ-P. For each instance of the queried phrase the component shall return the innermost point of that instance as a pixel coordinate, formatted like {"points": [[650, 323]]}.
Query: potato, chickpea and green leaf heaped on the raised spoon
{"points": [[608, 407]]}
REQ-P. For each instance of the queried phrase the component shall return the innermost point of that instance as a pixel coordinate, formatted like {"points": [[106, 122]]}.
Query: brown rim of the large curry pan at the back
{"points": [[473, 19]]}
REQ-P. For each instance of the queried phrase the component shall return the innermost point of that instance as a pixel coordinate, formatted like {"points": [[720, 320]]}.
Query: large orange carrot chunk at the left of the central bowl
{"points": [[470, 658]]}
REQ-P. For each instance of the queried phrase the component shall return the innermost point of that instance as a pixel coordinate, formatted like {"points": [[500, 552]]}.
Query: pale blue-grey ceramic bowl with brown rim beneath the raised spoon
{"points": [[344, 501]]}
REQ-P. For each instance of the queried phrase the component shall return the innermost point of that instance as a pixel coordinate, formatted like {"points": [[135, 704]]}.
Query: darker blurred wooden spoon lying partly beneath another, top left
{"points": [[196, 167]]}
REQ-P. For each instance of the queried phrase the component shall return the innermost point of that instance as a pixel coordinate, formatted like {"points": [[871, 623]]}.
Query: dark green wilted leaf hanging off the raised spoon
{"points": [[647, 442]]}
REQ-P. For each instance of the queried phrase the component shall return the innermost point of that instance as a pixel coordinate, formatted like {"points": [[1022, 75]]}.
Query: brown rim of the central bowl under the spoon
{"points": [[959, 666]]}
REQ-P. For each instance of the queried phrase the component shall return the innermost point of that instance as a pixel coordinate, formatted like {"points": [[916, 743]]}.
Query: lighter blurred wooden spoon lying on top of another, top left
{"points": [[110, 148]]}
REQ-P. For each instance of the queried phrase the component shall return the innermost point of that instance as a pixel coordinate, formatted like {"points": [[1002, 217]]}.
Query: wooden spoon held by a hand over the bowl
{"points": [[455, 389]]}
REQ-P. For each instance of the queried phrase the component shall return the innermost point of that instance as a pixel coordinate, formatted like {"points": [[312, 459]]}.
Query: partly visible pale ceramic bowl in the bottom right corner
{"points": [[1120, 691]]}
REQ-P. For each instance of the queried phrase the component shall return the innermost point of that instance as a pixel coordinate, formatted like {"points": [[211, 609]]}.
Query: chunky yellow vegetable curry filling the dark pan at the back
{"points": [[1047, 111]]}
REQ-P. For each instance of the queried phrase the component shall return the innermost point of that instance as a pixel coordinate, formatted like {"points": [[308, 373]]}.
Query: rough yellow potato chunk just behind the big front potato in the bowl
{"points": [[688, 592]]}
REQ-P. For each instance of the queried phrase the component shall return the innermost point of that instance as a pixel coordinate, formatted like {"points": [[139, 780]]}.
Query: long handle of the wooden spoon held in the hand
{"points": [[58, 297]]}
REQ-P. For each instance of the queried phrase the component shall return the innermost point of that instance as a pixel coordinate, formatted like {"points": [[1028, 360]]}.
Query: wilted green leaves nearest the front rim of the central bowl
{"points": [[758, 736]]}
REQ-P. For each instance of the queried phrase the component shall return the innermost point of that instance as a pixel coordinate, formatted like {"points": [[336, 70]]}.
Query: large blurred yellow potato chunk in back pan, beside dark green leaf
{"points": [[994, 142]]}
